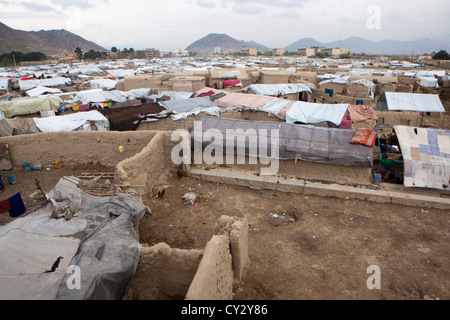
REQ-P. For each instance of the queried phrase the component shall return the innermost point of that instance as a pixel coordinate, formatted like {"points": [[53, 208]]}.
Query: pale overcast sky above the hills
{"points": [[173, 24]]}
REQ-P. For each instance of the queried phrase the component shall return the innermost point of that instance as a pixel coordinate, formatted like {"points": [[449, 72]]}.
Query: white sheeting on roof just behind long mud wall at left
{"points": [[73, 121]]}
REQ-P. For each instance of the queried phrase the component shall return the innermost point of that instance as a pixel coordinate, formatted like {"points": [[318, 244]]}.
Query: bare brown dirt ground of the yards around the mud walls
{"points": [[321, 250]]}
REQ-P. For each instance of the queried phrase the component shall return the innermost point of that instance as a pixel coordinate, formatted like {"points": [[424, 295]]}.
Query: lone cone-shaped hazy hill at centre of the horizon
{"points": [[205, 46]]}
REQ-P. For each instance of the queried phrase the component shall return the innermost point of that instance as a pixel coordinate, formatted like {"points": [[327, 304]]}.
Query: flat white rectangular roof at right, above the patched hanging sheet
{"points": [[400, 101]]}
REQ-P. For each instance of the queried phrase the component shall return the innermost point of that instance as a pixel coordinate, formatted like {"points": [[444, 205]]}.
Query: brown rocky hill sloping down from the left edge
{"points": [[48, 42]]}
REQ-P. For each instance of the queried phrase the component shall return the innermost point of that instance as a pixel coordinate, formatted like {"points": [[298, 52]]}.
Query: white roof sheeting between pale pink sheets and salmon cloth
{"points": [[311, 113]]}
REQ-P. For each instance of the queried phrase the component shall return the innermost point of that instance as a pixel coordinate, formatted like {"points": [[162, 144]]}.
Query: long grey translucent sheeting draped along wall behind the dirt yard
{"points": [[308, 143]]}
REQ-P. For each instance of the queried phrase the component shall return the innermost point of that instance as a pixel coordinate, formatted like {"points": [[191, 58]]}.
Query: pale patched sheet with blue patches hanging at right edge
{"points": [[426, 156]]}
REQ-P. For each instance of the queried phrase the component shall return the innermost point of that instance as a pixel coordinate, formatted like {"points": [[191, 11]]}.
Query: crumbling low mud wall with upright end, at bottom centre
{"points": [[166, 273]]}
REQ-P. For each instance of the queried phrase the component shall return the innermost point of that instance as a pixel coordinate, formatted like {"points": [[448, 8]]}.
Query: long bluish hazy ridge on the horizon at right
{"points": [[386, 47]]}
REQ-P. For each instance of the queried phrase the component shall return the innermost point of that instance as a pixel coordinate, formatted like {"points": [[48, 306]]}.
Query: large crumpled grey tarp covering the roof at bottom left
{"points": [[99, 240]]}
